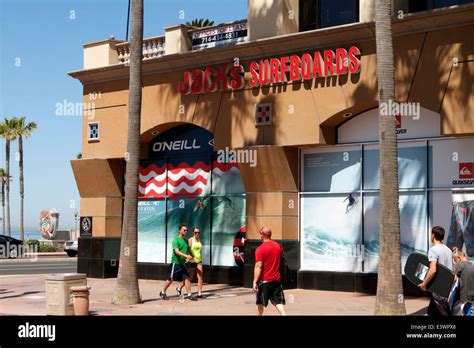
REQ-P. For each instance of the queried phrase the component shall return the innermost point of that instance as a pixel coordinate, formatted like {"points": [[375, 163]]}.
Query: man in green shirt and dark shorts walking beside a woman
{"points": [[179, 269]]}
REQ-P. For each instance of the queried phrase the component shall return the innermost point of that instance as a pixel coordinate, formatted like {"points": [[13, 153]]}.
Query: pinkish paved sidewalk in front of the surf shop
{"points": [[25, 295]]}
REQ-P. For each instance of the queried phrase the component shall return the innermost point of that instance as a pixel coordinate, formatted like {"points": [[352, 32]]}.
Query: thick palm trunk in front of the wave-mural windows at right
{"points": [[389, 300]]}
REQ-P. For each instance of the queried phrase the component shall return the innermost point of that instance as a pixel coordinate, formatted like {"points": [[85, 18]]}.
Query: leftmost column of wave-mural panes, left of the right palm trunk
{"points": [[331, 223]]}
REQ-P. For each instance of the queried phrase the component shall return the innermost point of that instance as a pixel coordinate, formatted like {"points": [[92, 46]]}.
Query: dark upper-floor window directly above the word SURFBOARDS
{"points": [[316, 14]]}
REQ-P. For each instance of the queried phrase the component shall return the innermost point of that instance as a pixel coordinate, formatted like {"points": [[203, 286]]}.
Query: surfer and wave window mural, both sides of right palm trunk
{"points": [[340, 227]]}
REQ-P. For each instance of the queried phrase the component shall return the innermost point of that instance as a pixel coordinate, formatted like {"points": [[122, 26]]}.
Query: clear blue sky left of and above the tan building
{"points": [[44, 38]]}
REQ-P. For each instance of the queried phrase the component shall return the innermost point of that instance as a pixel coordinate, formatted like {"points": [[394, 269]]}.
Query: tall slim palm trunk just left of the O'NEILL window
{"points": [[127, 290]]}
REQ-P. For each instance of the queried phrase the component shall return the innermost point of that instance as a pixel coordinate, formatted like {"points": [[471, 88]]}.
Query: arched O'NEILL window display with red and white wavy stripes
{"points": [[182, 182]]}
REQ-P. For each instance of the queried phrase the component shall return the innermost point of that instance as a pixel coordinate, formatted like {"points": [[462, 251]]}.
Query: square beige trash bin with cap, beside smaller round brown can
{"points": [[59, 300]]}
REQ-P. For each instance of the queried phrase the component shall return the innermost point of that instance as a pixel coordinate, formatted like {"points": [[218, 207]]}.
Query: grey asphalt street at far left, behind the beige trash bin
{"points": [[39, 265]]}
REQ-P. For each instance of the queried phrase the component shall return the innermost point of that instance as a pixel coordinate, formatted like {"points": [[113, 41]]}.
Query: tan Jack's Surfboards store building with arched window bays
{"points": [[273, 121]]}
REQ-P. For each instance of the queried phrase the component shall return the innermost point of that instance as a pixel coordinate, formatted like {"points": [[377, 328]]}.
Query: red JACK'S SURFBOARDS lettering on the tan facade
{"points": [[273, 70]]}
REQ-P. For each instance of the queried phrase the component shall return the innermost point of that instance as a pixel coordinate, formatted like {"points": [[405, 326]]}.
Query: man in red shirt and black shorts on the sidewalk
{"points": [[267, 279]]}
